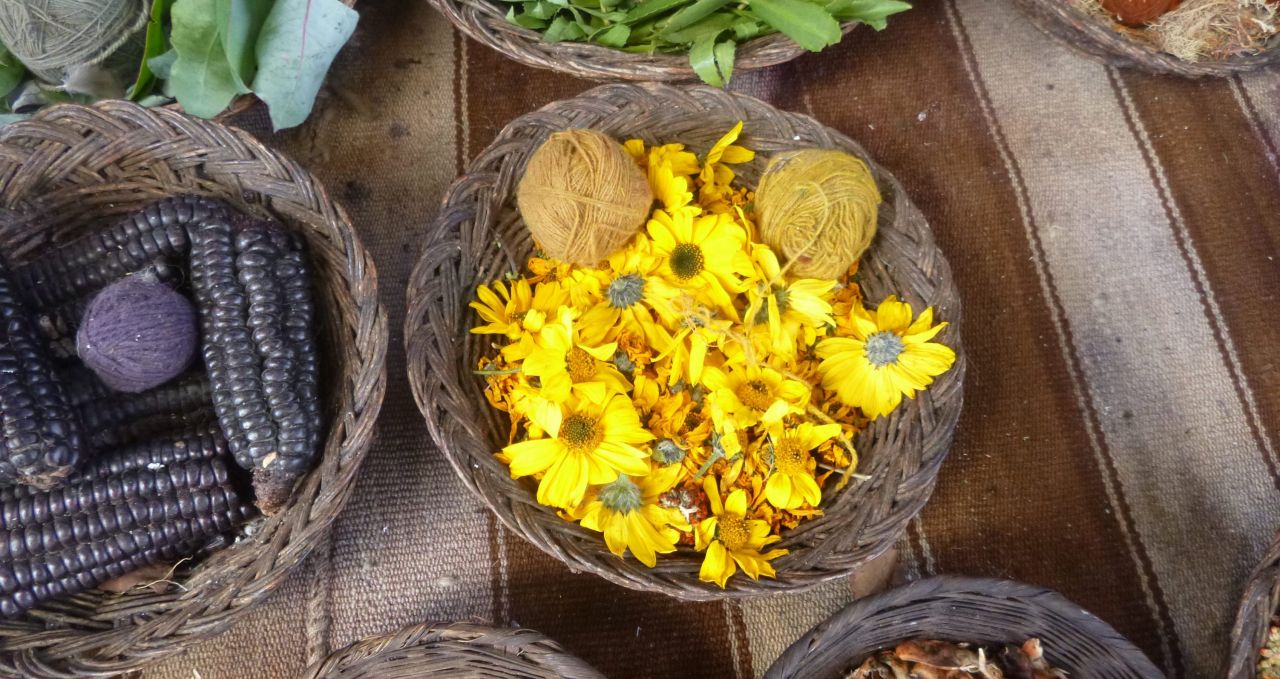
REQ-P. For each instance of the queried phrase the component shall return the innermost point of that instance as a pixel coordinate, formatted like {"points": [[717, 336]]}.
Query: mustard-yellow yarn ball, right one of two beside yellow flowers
{"points": [[819, 208]]}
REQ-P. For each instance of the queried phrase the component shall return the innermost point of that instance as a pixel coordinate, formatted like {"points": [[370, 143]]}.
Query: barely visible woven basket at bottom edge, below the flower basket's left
{"points": [[454, 651]]}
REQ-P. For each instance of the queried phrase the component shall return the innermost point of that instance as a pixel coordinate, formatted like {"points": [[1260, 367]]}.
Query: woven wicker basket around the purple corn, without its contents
{"points": [[72, 168]]}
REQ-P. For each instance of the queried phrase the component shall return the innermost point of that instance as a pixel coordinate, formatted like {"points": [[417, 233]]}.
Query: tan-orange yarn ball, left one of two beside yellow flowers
{"points": [[583, 197]]}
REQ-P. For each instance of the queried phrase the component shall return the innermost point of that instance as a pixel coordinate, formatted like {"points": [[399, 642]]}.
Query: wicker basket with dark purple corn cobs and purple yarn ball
{"points": [[191, 368]]}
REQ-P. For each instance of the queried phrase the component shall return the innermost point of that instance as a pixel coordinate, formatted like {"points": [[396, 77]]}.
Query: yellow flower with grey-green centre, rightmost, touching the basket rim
{"points": [[886, 357]]}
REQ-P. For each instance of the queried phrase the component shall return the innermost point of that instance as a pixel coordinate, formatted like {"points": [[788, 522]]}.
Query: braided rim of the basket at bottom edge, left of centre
{"points": [[527, 645]]}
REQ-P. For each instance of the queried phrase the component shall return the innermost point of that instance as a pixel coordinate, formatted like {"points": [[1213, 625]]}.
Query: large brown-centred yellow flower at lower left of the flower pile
{"points": [[588, 444]]}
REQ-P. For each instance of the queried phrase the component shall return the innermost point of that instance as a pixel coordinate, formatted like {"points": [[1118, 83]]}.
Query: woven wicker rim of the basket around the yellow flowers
{"points": [[429, 375]]}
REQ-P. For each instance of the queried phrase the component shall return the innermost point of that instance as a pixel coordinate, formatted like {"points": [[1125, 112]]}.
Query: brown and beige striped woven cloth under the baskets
{"points": [[1114, 236]]}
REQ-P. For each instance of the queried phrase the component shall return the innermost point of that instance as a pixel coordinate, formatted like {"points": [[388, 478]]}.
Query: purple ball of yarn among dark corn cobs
{"points": [[138, 335]]}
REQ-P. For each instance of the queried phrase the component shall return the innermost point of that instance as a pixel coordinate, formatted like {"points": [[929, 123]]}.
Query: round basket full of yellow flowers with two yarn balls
{"points": [[751, 393]]}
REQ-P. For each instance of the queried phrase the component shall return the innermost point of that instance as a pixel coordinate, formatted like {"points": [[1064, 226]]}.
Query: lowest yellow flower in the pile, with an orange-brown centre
{"points": [[733, 541]]}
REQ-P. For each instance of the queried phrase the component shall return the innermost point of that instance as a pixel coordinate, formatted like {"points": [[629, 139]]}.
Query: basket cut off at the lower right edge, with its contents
{"points": [[1256, 636]]}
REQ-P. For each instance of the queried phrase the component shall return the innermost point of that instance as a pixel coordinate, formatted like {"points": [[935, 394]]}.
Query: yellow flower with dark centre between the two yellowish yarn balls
{"points": [[702, 254]]}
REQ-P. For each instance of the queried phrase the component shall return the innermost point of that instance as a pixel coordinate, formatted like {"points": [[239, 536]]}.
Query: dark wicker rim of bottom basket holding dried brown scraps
{"points": [[982, 612]]}
